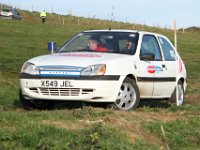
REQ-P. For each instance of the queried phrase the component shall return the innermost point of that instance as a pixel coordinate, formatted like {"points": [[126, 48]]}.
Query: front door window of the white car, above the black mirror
{"points": [[150, 45]]}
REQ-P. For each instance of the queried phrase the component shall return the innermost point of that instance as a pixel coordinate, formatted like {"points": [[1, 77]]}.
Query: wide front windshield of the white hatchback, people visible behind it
{"points": [[106, 42]]}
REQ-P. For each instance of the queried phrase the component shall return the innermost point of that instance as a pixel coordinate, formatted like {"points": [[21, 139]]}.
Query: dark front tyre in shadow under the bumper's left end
{"points": [[32, 104]]}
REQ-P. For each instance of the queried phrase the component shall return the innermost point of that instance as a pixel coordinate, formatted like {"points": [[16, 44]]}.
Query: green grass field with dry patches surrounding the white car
{"points": [[87, 127]]}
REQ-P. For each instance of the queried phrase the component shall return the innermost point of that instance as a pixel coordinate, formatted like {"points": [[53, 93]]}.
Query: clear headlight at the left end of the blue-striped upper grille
{"points": [[30, 68]]}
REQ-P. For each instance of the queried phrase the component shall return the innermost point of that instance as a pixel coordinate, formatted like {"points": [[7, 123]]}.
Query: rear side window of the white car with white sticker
{"points": [[168, 50]]}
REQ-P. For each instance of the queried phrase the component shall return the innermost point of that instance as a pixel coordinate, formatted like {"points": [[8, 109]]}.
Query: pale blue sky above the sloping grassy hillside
{"points": [[148, 12]]}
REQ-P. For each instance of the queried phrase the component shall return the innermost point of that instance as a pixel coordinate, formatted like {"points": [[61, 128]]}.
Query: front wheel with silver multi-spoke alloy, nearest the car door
{"points": [[128, 96]]}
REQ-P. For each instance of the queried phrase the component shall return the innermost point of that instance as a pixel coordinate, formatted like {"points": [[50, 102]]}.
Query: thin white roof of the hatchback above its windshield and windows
{"points": [[126, 31]]}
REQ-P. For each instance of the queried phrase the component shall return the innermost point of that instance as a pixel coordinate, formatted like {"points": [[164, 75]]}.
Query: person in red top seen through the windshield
{"points": [[95, 45]]}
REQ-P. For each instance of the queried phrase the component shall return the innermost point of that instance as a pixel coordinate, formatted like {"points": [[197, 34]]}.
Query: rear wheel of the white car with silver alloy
{"points": [[178, 95]]}
